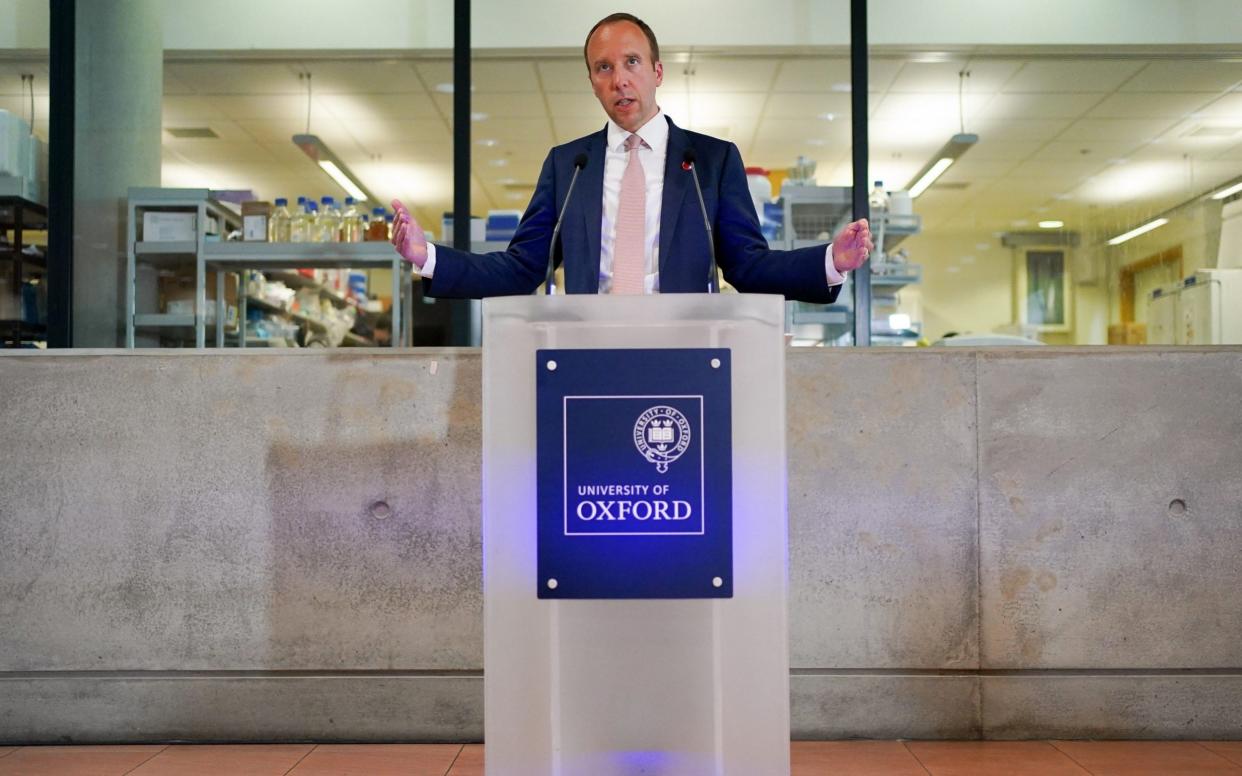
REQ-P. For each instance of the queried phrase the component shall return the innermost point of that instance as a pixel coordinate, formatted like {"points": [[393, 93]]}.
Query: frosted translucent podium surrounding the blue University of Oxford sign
{"points": [[628, 687]]}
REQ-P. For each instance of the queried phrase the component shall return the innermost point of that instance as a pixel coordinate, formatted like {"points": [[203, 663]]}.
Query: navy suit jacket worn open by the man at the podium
{"points": [[741, 249]]}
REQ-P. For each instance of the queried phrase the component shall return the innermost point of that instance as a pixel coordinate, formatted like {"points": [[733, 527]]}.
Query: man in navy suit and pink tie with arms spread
{"points": [[623, 60]]}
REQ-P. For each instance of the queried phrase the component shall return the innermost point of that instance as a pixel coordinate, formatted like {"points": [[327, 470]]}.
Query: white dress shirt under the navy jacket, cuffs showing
{"points": [[651, 155]]}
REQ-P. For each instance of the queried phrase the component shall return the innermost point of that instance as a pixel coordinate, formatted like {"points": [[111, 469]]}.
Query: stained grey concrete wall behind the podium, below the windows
{"points": [[993, 544]]}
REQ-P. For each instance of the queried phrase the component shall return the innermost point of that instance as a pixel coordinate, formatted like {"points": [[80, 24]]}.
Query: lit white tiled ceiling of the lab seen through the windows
{"points": [[1094, 141]]}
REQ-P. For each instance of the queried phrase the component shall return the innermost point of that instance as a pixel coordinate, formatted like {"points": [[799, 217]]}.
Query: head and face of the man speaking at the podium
{"points": [[624, 75]]}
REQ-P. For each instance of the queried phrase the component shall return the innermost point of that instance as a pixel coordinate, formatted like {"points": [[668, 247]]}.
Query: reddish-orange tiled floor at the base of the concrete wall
{"points": [[809, 758]]}
